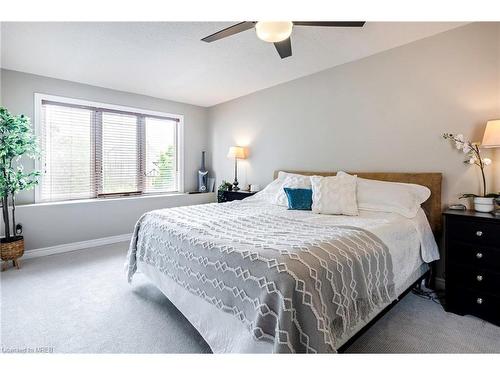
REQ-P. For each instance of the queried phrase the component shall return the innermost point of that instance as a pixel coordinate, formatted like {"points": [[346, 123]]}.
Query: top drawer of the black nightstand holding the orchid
{"points": [[473, 231]]}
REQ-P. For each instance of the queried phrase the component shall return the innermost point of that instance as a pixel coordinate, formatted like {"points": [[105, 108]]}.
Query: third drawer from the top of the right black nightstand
{"points": [[480, 280]]}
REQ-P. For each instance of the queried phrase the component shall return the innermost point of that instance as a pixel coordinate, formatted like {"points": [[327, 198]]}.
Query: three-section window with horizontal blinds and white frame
{"points": [[91, 150]]}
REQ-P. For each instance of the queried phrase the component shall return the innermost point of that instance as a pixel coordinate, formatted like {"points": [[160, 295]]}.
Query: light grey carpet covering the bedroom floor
{"points": [[81, 302]]}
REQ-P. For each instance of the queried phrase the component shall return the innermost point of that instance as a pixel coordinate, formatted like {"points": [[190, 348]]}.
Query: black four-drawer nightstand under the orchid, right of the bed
{"points": [[472, 256]]}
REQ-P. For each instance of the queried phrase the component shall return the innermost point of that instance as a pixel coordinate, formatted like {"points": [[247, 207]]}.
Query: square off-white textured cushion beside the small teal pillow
{"points": [[334, 195]]}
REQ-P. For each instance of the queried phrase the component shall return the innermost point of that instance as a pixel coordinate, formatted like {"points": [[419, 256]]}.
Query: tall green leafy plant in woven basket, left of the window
{"points": [[16, 140]]}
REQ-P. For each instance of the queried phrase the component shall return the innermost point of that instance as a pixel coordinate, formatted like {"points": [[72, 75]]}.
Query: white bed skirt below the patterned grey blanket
{"points": [[223, 332]]}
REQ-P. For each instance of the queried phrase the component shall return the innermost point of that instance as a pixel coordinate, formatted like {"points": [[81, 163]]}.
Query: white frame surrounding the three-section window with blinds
{"points": [[37, 116]]}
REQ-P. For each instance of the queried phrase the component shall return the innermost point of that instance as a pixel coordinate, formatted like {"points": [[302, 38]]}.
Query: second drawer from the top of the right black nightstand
{"points": [[473, 255]]}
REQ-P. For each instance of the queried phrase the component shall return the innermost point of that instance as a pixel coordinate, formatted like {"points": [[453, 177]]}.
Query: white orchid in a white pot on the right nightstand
{"points": [[484, 202]]}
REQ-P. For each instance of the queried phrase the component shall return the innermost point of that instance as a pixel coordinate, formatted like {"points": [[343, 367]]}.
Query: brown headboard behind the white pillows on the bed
{"points": [[431, 207]]}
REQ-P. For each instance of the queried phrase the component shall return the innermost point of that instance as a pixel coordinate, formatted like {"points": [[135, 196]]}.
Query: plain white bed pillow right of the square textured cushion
{"points": [[404, 199]]}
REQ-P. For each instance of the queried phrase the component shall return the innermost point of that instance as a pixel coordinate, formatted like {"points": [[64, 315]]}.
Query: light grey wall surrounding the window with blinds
{"points": [[54, 224]]}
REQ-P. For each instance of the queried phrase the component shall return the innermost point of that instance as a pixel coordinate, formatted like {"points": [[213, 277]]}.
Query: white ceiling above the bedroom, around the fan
{"points": [[168, 60]]}
